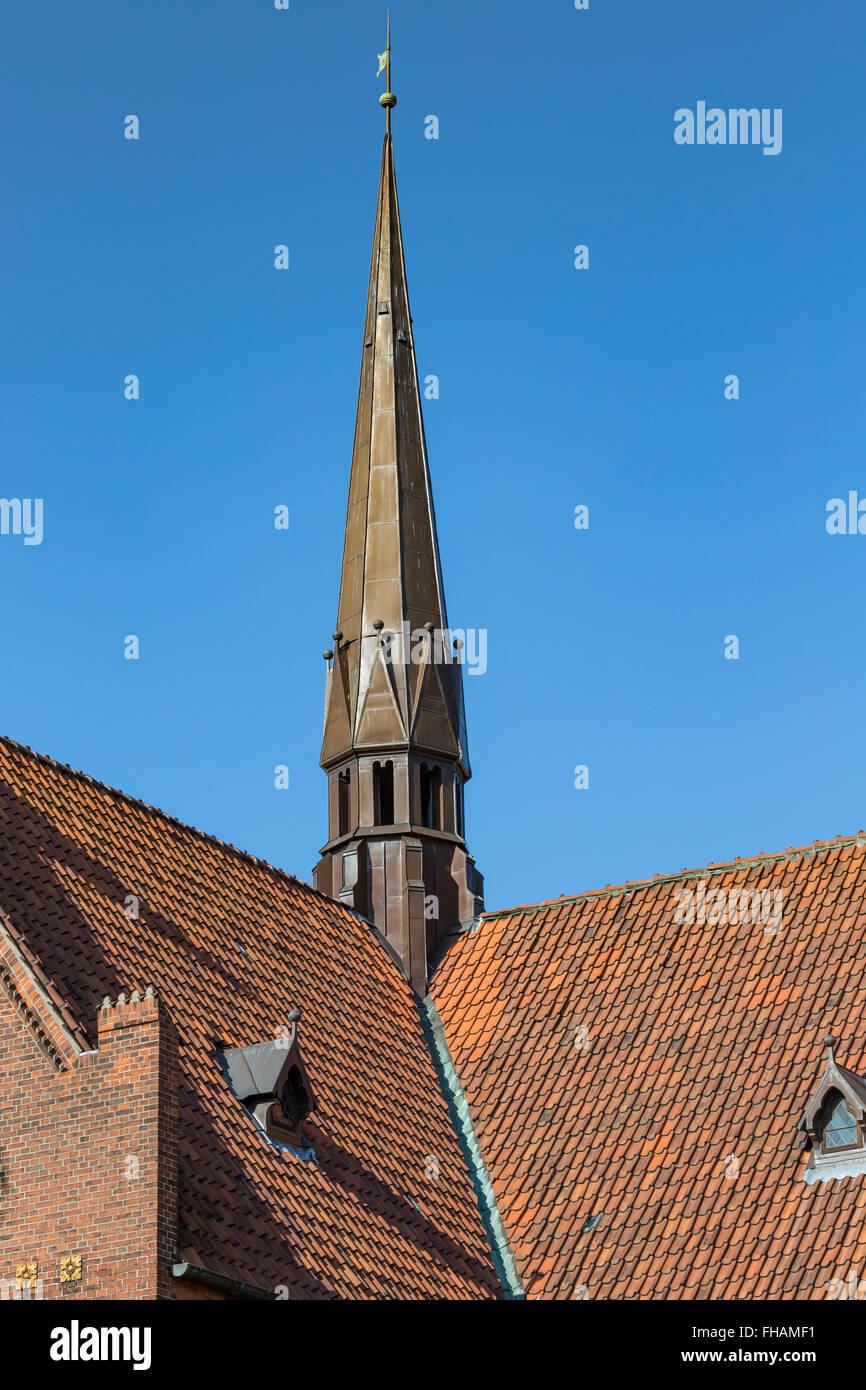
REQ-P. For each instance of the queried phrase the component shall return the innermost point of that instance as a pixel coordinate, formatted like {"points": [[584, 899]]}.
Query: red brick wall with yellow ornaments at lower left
{"points": [[88, 1154]]}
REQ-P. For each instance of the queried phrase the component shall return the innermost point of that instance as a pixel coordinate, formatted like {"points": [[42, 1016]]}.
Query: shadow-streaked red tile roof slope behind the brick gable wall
{"points": [[233, 945]]}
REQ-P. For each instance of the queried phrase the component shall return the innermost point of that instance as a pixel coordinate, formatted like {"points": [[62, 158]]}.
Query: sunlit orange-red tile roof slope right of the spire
{"points": [[703, 1040]]}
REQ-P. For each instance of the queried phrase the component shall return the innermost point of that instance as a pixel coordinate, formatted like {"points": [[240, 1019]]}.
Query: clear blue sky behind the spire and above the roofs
{"points": [[558, 387]]}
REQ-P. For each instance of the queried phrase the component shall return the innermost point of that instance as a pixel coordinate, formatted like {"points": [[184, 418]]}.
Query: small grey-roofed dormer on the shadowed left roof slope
{"points": [[272, 1082]]}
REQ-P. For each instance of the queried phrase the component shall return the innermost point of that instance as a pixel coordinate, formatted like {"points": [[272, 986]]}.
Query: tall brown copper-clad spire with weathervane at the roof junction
{"points": [[395, 744]]}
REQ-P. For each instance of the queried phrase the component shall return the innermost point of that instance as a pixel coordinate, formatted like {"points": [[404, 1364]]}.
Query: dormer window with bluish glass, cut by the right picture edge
{"points": [[836, 1124]]}
